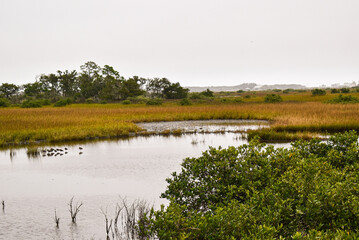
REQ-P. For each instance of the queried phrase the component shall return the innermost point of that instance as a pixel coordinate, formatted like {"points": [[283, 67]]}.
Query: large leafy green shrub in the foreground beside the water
{"points": [[254, 191]]}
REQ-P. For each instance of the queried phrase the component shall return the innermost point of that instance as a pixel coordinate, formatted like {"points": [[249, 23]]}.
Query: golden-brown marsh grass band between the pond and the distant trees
{"points": [[76, 122]]}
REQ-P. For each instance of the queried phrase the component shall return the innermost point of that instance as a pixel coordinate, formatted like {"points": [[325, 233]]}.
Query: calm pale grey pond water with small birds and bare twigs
{"points": [[98, 174]]}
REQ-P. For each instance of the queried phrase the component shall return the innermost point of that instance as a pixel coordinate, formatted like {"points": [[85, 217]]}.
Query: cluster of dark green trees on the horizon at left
{"points": [[92, 83]]}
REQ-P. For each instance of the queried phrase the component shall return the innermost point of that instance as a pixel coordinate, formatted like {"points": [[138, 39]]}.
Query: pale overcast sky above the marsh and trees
{"points": [[194, 42]]}
